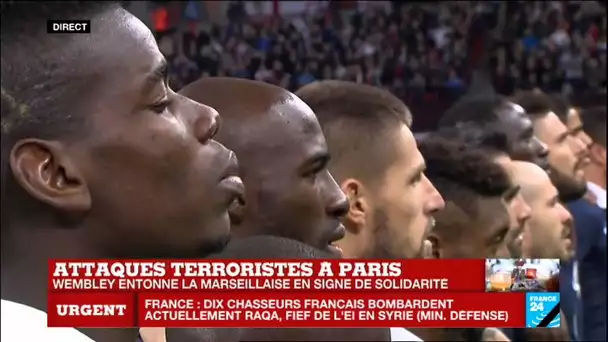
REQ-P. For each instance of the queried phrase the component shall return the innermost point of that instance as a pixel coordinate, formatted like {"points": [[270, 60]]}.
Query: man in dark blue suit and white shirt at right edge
{"points": [[590, 213]]}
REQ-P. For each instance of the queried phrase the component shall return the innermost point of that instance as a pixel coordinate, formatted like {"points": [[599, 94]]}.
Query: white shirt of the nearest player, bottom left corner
{"points": [[23, 323]]}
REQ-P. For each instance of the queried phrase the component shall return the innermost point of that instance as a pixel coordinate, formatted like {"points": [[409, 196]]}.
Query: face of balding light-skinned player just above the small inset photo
{"points": [[550, 225]]}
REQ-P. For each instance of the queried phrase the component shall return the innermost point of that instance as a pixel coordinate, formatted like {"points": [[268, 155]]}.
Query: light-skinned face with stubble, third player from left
{"points": [[404, 203]]}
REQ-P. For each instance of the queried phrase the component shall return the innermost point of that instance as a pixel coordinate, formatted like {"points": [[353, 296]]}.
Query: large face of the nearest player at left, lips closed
{"points": [[159, 184]]}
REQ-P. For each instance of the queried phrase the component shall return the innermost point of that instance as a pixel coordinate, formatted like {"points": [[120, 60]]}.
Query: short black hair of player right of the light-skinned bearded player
{"points": [[461, 173]]}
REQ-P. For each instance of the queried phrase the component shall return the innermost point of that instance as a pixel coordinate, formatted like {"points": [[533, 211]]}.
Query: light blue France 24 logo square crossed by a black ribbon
{"points": [[542, 310]]}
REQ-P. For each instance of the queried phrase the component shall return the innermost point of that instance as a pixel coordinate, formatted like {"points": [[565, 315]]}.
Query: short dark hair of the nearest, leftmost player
{"points": [[39, 84]]}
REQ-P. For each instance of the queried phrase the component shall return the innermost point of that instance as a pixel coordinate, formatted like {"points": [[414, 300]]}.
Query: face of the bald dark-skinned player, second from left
{"points": [[290, 191]]}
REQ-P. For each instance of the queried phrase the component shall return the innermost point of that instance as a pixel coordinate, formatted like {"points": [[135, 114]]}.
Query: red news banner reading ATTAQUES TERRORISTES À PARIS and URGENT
{"points": [[272, 293]]}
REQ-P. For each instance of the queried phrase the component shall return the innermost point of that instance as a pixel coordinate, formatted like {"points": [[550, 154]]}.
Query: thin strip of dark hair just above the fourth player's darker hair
{"points": [[489, 138]]}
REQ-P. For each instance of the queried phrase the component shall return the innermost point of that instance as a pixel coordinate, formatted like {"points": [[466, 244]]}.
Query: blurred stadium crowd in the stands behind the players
{"points": [[424, 52]]}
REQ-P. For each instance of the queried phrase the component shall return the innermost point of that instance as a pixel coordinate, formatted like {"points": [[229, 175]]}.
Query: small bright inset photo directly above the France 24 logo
{"points": [[522, 275]]}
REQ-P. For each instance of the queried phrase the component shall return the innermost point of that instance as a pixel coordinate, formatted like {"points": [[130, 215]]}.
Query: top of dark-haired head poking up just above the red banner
{"points": [[270, 247]]}
